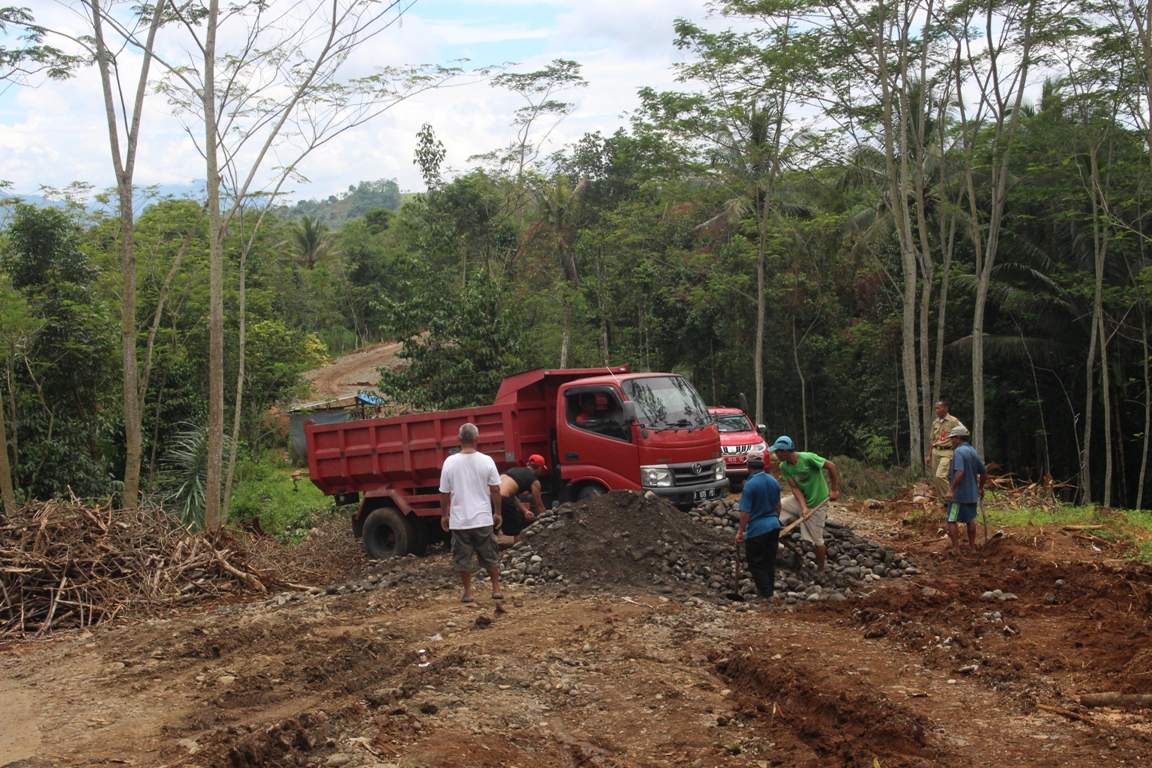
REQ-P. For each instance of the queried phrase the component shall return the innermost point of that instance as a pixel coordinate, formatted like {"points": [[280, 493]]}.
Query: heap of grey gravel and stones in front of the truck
{"points": [[626, 541]]}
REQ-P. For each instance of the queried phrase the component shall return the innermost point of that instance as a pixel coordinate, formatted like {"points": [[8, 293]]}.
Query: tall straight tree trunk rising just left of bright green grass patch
{"points": [[213, 520]]}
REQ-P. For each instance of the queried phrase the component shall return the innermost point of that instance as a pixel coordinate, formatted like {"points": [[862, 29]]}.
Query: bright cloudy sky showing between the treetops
{"points": [[56, 133]]}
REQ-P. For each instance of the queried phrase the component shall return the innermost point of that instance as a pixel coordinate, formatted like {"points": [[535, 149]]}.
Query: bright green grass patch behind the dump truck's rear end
{"points": [[286, 507]]}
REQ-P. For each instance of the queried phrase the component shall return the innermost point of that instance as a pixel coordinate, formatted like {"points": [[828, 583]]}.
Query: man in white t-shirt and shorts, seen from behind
{"points": [[469, 493]]}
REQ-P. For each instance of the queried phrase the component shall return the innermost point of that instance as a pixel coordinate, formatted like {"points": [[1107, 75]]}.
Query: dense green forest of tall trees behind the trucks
{"points": [[847, 212]]}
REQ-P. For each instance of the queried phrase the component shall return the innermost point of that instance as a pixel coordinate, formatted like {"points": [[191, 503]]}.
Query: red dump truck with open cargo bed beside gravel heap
{"points": [[603, 430]]}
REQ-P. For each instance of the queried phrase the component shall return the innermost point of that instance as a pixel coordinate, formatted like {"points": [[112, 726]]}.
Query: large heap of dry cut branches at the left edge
{"points": [[73, 566]]}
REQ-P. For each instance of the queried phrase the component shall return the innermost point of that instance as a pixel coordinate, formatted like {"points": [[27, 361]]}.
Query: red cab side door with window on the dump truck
{"points": [[594, 443]]}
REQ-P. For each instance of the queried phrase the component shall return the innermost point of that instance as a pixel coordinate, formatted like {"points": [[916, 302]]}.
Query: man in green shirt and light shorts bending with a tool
{"points": [[809, 503]]}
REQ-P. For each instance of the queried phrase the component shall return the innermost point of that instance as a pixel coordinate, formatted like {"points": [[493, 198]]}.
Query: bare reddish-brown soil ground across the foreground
{"points": [[921, 673]]}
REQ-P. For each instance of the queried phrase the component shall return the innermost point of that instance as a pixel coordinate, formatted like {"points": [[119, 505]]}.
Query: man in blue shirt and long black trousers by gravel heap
{"points": [[760, 524]]}
